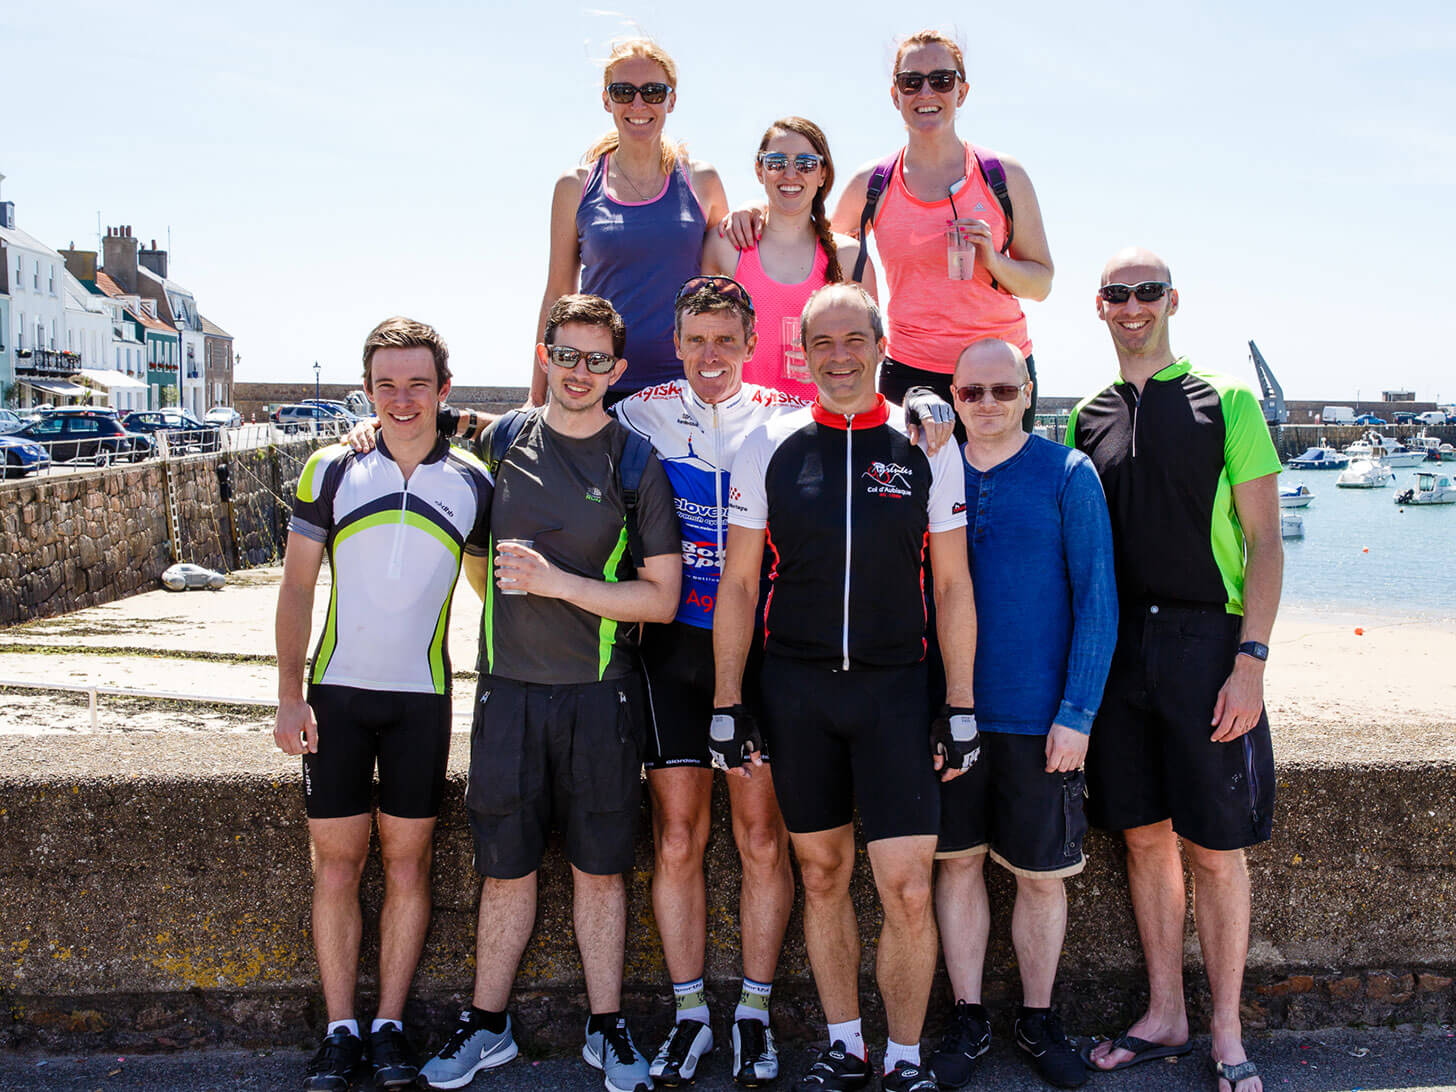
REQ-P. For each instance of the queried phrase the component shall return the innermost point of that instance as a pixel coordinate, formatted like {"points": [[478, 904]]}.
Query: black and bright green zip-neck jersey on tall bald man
{"points": [[1170, 459]]}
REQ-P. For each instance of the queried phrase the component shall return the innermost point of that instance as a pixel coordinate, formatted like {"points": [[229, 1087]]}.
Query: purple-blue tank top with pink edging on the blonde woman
{"points": [[638, 256]]}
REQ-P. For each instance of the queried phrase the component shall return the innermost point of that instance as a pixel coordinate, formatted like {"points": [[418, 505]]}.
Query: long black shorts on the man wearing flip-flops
{"points": [[1151, 756]]}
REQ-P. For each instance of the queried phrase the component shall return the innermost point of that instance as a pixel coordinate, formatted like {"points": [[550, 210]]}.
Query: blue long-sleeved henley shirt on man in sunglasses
{"points": [[1046, 598]]}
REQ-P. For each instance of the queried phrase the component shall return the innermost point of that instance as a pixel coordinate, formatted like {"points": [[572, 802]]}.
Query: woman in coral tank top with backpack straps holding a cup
{"points": [[940, 302]]}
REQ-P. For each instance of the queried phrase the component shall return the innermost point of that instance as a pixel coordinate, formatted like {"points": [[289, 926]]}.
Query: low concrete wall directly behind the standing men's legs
{"points": [[158, 895]]}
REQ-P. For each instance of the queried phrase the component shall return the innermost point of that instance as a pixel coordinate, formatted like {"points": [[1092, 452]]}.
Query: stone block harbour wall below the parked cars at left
{"points": [[79, 539]]}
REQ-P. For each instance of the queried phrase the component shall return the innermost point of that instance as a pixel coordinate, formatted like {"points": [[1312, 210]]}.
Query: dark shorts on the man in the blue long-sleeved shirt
{"points": [[1030, 820]]}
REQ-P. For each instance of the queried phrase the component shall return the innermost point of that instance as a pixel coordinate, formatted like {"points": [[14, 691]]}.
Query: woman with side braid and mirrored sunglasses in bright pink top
{"points": [[796, 256]]}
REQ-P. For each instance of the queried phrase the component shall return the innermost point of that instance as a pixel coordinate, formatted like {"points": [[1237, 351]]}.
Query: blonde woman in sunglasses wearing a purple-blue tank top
{"points": [[636, 194]]}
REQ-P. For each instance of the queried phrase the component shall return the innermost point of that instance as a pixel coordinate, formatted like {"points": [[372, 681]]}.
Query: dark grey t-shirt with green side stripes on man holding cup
{"points": [[566, 496]]}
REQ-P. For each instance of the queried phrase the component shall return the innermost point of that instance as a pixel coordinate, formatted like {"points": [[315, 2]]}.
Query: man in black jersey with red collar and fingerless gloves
{"points": [[848, 507]]}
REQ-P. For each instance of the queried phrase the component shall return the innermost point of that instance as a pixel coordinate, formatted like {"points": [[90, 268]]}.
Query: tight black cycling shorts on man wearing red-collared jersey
{"points": [[847, 739]]}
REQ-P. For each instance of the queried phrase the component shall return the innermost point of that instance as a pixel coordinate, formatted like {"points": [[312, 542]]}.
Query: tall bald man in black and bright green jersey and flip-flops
{"points": [[1182, 745]]}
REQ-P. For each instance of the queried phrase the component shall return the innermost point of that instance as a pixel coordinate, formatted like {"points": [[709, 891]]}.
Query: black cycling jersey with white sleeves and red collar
{"points": [[848, 505]]}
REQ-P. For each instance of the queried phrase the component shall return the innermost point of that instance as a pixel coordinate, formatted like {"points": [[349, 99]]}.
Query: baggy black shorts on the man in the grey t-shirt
{"points": [[563, 755]]}
